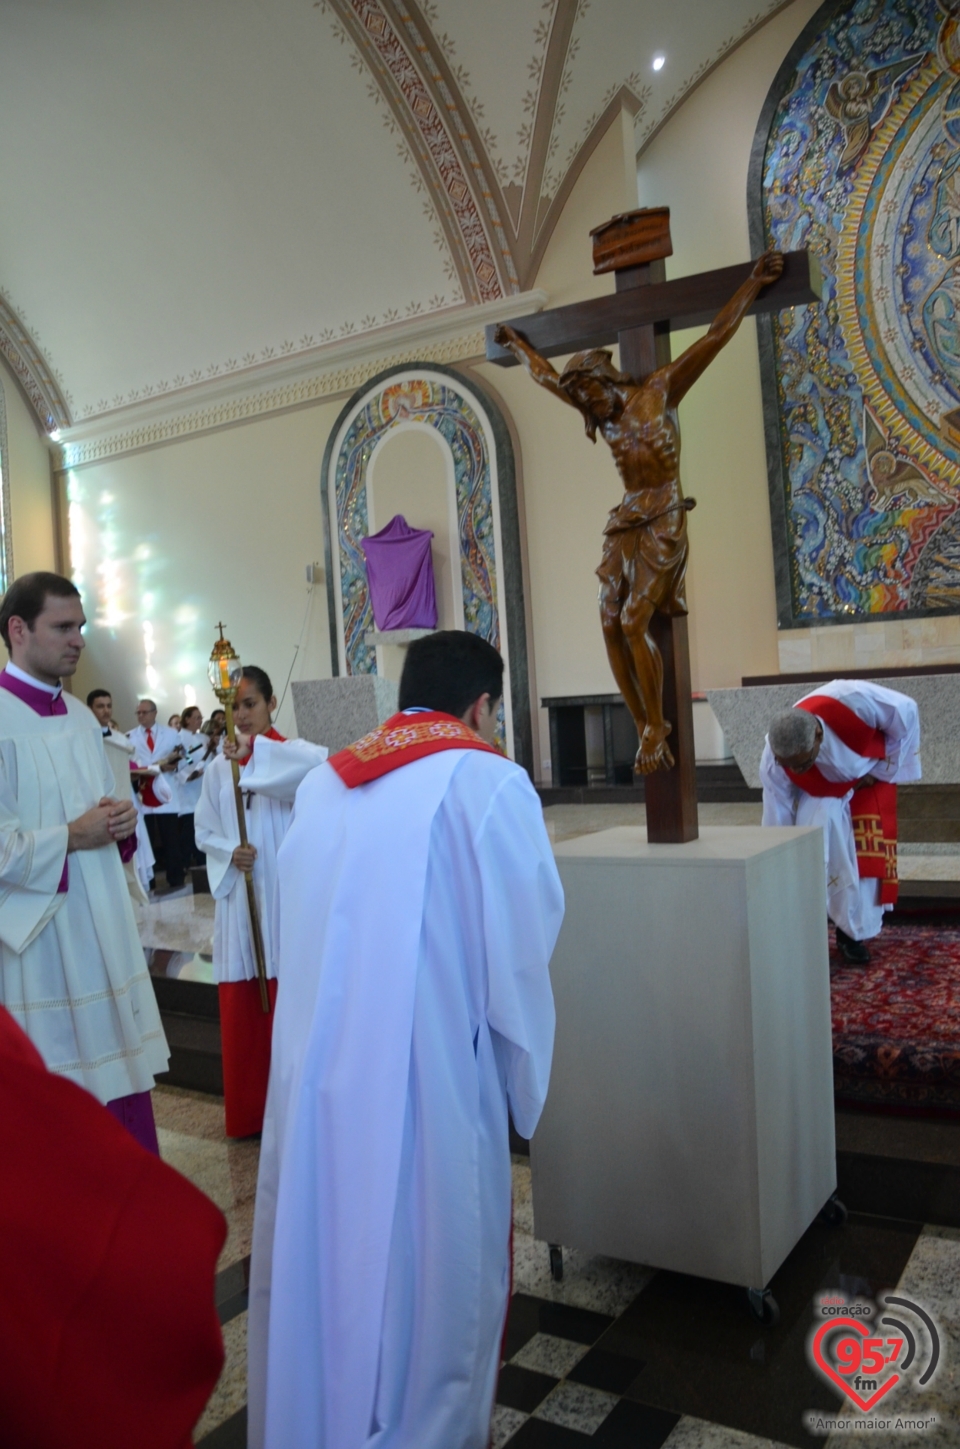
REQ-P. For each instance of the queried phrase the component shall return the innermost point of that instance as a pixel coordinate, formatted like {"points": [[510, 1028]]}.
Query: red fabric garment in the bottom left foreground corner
{"points": [[109, 1335]]}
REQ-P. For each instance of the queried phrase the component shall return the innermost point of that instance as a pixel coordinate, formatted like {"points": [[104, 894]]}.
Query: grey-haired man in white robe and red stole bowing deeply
{"points": [[835, 761]]}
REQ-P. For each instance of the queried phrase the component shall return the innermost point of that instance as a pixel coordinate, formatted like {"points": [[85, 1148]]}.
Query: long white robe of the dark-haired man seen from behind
{"points": [[418, 916]]}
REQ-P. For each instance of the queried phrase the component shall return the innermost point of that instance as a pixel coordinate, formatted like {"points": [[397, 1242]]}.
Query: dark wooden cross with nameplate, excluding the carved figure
{"points": [[641, 317]]}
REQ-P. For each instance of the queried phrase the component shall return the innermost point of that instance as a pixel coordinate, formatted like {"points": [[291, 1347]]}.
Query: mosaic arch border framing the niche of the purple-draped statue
{"points": [[481, 475]]}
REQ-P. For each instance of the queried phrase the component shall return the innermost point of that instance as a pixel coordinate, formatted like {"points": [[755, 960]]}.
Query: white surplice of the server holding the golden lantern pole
{"points": [[269, 806]]}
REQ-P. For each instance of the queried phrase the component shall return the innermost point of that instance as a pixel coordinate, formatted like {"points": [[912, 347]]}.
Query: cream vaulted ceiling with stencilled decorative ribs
{"points": [[195, 188]]}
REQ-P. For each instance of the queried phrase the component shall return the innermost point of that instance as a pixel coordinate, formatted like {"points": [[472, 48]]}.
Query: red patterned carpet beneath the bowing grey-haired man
{"points": [[897, 1022]]}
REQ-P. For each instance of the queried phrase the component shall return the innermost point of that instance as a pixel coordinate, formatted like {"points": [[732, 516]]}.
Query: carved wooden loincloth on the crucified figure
{"points": [[647, 557]]}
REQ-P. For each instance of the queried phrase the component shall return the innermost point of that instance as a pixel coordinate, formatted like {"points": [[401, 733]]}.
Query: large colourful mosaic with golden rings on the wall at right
{"points": [[862, 167]]}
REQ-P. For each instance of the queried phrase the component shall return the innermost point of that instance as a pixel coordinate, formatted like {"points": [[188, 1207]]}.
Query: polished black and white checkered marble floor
{"points": [[618, 1356]]}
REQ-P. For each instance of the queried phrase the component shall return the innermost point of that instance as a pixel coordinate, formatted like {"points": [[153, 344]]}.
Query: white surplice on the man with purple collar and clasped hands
{"points": [[72, 966]]}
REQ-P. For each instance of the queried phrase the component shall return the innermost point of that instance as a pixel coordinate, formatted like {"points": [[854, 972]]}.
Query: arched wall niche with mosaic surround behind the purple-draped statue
{"points": [[474, 504]]}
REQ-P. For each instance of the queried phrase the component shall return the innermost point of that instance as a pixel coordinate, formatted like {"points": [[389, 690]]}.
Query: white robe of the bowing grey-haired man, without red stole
{"points": [[852, 903]]}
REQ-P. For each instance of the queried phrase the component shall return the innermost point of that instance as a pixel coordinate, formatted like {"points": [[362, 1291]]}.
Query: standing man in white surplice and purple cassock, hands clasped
{"points": [[72, 966]]}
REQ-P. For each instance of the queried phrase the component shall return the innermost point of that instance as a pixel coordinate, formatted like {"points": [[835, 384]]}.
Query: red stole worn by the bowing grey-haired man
{"points": [[874, 808]]}
